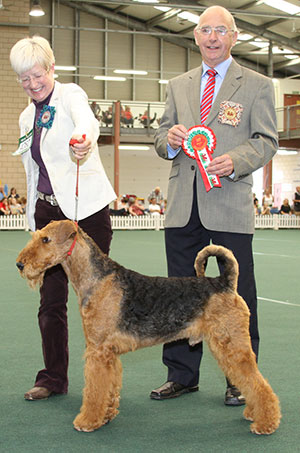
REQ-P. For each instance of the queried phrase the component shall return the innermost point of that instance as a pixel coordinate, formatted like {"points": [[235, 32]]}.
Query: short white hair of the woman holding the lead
{"points": [[31, 51]]}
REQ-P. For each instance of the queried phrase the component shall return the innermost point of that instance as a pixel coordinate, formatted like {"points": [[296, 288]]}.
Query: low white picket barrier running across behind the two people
{"points": [[147, 222]]}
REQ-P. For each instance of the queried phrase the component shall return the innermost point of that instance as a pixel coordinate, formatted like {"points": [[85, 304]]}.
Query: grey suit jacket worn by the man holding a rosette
{"points": [[251, 144]]}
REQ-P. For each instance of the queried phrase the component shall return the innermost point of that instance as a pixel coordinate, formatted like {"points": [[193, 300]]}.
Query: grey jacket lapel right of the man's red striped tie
{"points": [[229, 86]]}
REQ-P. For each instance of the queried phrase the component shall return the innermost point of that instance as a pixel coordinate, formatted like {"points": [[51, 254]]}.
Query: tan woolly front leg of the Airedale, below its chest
{"points": [[100, 371]]}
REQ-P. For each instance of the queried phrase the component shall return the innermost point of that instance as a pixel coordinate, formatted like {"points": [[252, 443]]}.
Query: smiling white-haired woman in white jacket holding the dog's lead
{"points": [[58, 113]]}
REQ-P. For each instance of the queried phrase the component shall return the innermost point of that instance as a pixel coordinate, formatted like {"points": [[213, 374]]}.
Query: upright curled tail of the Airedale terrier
{"points": [[225, 258]]}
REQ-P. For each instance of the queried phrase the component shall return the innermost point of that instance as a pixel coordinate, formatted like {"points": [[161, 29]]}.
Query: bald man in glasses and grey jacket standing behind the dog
{"points": [[243, 120]]}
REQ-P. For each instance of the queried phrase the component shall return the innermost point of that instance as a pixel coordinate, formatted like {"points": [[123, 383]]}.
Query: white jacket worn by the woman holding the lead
{"points": [[72, 116]]}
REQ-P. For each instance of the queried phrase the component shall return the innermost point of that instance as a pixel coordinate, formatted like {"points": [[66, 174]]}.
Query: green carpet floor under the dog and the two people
{"points": [[197, 422]]}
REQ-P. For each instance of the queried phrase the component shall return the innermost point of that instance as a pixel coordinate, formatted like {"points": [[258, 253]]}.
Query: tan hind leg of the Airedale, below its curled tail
{"points": [[227, 334]]}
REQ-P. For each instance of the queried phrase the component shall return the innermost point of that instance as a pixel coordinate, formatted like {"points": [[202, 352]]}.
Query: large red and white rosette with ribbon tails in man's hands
{"points": [[200, 145]]}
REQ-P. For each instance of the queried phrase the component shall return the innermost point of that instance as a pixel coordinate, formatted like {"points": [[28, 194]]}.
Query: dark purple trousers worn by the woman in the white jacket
{"points": [[52, 314]]}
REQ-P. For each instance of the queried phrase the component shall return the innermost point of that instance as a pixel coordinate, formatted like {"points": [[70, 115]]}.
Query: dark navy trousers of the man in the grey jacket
{"points": [[182, 246]]}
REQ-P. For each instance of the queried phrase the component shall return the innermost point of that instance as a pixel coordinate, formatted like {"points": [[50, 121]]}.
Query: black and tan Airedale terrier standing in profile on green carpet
{"points": [[123, 310]]}
